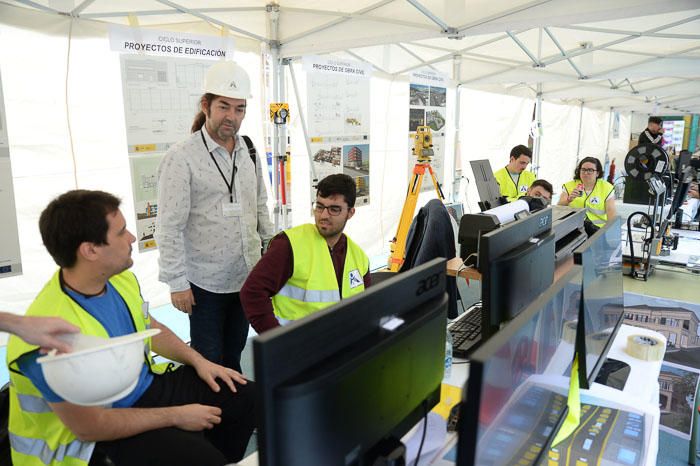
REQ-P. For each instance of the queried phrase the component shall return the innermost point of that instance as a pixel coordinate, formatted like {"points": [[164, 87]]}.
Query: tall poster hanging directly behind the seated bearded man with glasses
{"points": [[338, 119]]}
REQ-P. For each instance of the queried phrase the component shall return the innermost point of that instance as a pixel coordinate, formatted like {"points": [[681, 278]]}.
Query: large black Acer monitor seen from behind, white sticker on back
{"points": [[341, 385]]}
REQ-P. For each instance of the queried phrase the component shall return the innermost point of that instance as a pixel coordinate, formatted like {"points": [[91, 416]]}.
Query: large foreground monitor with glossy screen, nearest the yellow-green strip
{"points": [[516, 396]]}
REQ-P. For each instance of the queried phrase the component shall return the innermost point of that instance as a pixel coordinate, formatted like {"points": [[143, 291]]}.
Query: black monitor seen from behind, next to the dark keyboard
{"points": [[516, 263]]}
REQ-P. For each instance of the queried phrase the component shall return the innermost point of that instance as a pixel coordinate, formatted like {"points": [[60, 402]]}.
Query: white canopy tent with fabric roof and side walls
{"points": [[586, 63]]}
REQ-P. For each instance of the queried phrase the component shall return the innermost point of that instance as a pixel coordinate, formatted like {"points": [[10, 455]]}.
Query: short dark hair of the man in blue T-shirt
{"points": [[73, 218]]}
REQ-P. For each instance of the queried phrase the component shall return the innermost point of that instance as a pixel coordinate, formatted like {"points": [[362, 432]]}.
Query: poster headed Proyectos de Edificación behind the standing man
{"points": [[161, 97]]}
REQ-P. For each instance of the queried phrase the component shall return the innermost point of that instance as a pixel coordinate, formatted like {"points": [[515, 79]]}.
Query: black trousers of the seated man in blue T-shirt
{"points": [[225, 443]]}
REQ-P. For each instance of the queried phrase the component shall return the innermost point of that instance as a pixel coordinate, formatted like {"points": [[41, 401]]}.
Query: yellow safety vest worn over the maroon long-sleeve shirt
{"points": [[313, 285]]}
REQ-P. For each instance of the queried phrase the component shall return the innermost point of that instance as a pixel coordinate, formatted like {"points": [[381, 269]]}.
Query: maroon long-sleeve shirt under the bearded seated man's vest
{"points": [[270, 274]]}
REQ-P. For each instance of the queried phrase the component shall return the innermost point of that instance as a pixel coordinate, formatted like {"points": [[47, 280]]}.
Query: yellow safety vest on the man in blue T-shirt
{"points": [[37, 435]]}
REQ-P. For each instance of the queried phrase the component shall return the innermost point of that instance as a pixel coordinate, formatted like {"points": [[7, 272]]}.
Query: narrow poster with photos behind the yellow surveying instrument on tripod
{"points": [[427, 107]]}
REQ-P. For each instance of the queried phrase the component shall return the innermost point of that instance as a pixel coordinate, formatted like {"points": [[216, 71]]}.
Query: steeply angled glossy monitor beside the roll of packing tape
{"points": [[603, 306]]}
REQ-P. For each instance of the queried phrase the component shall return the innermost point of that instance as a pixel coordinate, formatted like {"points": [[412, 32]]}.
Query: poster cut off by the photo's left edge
{"points": [[10, 260]]}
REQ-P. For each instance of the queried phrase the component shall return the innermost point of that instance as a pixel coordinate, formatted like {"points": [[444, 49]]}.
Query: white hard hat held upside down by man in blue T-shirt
{"points": [[98, 371]]}
